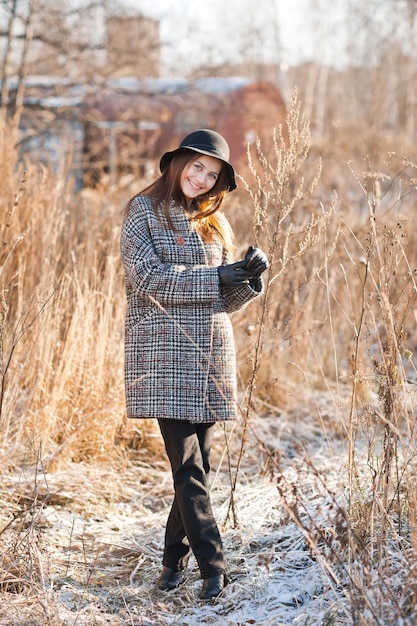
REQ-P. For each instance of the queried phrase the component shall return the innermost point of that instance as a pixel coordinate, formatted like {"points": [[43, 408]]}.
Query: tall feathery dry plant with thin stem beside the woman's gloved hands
{"points": [[287, 227]]}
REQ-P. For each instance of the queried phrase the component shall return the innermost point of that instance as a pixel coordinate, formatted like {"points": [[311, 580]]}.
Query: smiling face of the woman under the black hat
{"points": [[199, 176]]}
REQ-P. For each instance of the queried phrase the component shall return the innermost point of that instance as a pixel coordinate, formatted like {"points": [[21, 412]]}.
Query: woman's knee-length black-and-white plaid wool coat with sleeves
{"points": [[179, 345]]}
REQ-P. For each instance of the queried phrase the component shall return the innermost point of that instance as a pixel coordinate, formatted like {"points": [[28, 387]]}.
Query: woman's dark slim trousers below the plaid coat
{"points": [[191, 524]]}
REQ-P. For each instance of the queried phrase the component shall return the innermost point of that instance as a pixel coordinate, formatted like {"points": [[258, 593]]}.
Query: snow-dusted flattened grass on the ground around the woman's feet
{"points": [[102, 535]]}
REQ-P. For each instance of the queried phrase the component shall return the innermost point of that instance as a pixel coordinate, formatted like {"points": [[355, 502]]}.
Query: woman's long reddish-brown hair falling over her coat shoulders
{"points": [[166, 190]]}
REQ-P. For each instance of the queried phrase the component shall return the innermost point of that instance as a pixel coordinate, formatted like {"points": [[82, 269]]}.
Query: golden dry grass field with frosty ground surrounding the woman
{"points": [[337, 323]]}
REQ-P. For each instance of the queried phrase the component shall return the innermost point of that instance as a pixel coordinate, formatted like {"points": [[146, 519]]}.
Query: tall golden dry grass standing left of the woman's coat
{"points": [[62, 336]]}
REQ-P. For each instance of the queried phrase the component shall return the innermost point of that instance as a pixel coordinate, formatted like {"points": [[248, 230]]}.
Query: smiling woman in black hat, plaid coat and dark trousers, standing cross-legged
{"points": [[179, 348]]}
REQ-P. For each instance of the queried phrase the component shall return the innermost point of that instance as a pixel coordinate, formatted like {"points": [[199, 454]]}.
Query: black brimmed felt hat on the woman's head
{"points": [[207, 142]]}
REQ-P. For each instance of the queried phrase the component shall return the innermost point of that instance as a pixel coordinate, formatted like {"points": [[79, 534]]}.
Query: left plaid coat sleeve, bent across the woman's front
{"points": [[151, 278]]}
